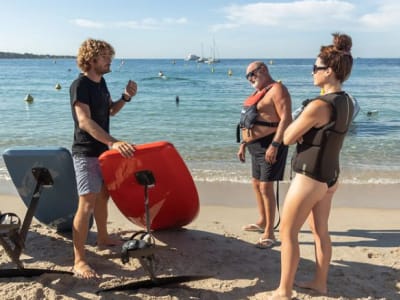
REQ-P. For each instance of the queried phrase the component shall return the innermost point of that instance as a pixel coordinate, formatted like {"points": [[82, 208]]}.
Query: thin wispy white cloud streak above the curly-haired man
{"points": [[147, 23]]}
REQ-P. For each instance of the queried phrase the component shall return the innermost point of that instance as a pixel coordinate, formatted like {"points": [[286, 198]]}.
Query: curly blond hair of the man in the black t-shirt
{"points": [[90, 49]]}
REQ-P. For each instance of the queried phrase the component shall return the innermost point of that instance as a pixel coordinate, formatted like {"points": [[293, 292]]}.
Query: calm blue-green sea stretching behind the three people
{"points": [[202, 127]]}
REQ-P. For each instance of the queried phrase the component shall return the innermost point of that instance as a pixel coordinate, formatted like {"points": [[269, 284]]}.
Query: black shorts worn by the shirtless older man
{"points": [[261, 169]]}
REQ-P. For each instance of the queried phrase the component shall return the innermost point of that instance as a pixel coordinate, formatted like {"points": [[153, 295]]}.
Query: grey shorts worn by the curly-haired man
{"points": [[88, 175]]}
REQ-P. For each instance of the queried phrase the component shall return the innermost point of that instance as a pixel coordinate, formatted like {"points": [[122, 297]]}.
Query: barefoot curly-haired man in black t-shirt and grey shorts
{"points": [[92, 106]]}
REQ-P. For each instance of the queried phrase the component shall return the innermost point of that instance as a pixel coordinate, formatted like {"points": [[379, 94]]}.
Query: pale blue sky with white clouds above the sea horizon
{"points": [[175, 28]]}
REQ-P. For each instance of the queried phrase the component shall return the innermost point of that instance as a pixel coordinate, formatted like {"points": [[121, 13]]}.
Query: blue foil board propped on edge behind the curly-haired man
{"points": [[58, 202]]}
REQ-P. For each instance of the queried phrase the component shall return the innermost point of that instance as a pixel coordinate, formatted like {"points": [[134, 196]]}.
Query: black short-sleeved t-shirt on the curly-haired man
{"points": [[97, 97]]}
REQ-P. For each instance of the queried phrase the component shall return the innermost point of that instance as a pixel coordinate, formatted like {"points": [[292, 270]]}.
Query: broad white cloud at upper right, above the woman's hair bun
{"points": [[312, 15]]}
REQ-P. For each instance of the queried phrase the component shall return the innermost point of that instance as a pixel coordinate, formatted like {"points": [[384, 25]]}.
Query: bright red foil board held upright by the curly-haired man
{"points": [[173, 200]]}
